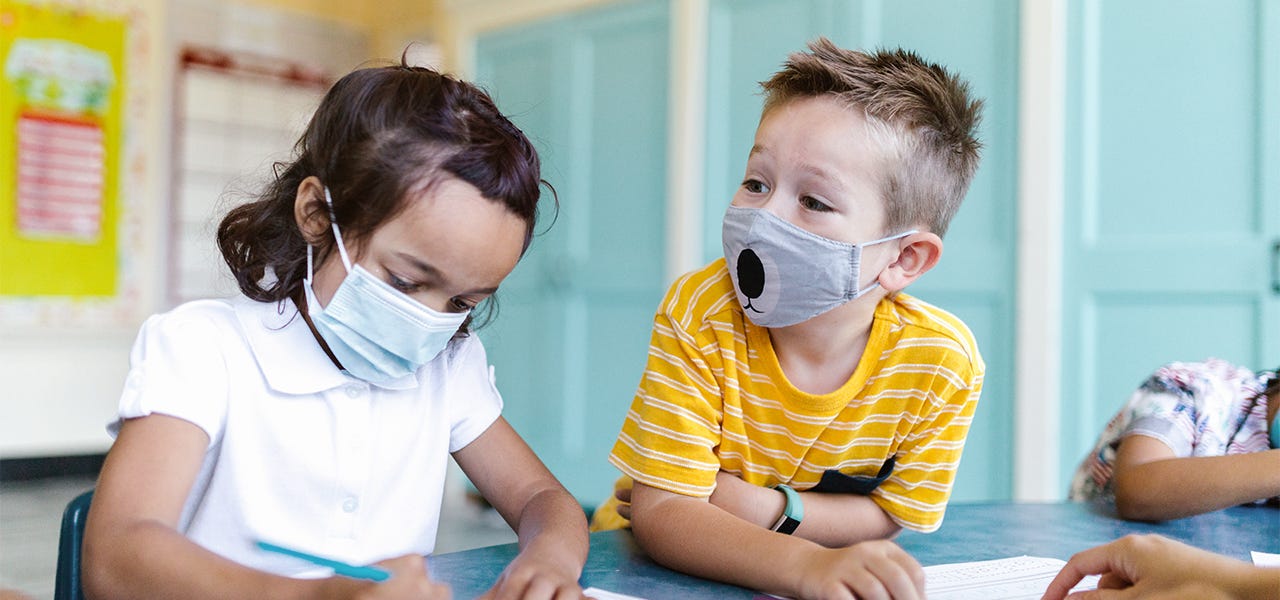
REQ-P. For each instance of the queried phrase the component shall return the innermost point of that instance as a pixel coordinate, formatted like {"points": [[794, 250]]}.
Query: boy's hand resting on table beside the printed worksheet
{"points": [[870, 571]]}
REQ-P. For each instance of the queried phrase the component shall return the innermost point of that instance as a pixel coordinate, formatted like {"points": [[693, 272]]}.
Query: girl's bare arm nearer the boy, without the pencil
{"points": [[548, 521]]}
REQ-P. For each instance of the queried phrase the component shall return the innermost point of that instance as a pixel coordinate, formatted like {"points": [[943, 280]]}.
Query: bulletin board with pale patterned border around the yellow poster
{"points": [[84, 84]]}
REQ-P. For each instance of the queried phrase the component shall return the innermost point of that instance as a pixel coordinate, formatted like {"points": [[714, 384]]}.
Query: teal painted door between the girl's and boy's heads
{"points": [[570, 343]]}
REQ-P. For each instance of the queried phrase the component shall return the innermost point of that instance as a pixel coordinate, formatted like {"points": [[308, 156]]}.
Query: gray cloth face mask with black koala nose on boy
{"points": [[784, 274]]}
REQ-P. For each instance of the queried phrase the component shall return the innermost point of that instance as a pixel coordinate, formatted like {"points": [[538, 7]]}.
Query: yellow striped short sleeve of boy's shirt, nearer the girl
{"points": [[670, 436]]}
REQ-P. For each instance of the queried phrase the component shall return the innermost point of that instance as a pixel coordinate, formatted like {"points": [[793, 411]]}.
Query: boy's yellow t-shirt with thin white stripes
{"points": [[714, 397]]}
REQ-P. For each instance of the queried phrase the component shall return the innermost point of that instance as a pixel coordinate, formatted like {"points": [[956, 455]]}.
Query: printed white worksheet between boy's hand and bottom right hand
{"points": [[1008, 579]]}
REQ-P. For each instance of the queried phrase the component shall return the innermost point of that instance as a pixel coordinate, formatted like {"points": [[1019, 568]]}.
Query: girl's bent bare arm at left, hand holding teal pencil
{"points": [[134, 549]]}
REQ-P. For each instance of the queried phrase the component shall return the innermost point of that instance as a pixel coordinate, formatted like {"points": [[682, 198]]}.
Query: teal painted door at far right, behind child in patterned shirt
{"points": [[1173, 198]]}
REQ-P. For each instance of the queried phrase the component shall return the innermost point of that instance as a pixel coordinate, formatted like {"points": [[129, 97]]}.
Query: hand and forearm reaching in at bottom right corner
{"points": [[1149, 566]]}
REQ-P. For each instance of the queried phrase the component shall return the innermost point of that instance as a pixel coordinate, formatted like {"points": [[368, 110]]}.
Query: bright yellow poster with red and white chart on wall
{"points": [[61, 145]]}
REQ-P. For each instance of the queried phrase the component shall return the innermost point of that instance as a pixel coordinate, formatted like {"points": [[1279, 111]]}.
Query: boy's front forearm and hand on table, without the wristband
{"points": [[691, 535]]}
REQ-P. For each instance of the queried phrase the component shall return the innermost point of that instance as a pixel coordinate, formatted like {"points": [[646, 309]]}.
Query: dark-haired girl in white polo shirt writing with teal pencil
{"points": [[319, 410]]}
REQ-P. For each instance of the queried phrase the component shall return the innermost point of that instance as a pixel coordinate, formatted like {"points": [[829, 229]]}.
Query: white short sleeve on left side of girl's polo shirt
{"points": [[177, 369]]}
